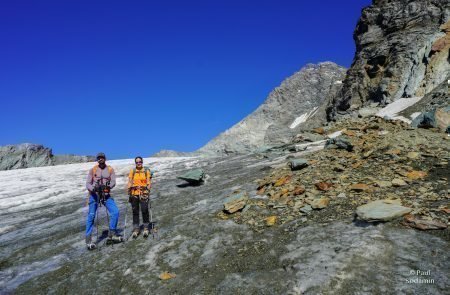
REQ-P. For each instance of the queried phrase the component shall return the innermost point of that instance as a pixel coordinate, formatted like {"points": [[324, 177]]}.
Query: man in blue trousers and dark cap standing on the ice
{"points": [[101, 179]]}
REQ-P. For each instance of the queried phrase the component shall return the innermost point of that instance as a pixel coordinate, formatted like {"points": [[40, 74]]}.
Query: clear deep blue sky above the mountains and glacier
{"points": [[134, 77]]}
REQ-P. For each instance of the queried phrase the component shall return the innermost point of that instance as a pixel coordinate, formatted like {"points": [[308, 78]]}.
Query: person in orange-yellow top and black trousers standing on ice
{"points": [[139, 185]]}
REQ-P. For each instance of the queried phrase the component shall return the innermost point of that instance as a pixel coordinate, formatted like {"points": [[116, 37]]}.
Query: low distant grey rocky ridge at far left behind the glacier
{"points": [[28, 155]]}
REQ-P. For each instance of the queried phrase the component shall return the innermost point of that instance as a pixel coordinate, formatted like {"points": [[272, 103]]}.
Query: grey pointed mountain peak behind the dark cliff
{"points": [[302, 93]]}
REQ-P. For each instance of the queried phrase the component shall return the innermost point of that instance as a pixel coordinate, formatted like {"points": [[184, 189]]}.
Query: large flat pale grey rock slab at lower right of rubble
{"points": [[381, 210]]}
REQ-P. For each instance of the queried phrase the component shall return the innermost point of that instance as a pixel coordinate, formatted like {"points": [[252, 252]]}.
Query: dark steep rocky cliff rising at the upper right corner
{"points": [[402, 50]]}
